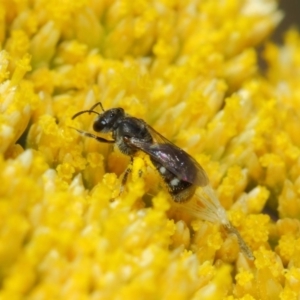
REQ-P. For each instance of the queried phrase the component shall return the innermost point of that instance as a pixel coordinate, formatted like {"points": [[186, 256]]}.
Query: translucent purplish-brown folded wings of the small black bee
{"points": [[174, 159]]}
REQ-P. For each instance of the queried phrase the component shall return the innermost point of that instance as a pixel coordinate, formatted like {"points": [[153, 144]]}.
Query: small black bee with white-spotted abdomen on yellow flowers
{"points": [[180, 172]]}
